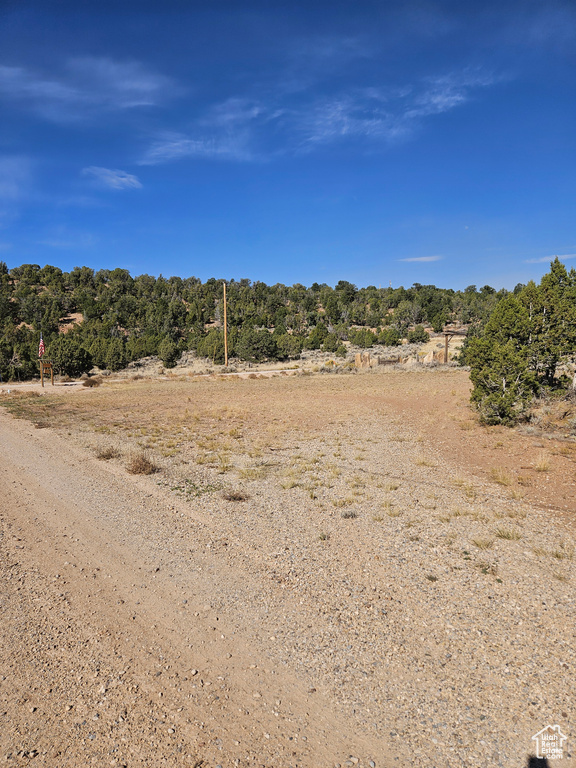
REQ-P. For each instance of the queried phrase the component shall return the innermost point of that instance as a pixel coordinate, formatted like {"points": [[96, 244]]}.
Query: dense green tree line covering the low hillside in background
{"points": [[111, 318]]}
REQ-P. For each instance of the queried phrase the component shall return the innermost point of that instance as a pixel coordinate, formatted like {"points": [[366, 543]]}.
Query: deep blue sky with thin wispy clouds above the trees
{"points": [[374, 142]]}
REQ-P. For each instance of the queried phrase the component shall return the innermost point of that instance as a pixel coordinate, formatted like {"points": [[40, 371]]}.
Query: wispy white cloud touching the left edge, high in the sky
{"points": [[85, 86]]}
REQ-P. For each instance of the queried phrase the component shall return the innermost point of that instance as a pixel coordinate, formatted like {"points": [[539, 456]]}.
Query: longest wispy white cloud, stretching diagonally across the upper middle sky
{"points": [[239, 129]]}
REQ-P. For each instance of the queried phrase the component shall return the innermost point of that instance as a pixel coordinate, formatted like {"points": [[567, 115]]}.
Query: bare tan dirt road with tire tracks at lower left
{"points": [[122, 642]]}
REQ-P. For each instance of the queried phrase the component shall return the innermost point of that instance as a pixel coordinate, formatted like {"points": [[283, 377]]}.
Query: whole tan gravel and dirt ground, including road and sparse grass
{"points": [[323, 570]]}
